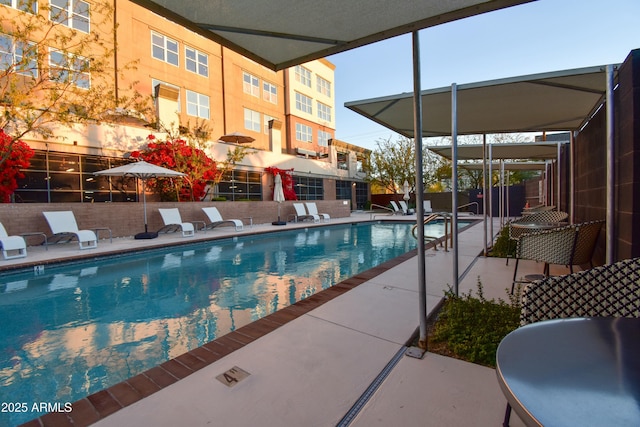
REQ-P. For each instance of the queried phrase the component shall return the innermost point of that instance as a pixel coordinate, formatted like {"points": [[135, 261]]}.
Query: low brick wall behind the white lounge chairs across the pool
{"points": [[127, 219]]}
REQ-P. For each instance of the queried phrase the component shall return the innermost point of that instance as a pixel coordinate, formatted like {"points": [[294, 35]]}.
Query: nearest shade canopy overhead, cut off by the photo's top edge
{"points": [[281, 33]]}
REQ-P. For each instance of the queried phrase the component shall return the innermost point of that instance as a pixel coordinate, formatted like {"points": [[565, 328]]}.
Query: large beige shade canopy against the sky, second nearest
{"points": [[556, 101]]}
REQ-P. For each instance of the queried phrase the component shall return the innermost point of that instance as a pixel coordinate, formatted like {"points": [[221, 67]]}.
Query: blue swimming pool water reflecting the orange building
{"points": [[73, 330]]}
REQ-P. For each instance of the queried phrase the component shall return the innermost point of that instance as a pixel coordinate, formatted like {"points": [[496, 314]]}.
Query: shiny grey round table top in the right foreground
{"points": [[573, 372]]}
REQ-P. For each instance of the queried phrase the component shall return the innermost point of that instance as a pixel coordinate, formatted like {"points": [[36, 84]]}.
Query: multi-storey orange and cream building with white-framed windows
{"points": [[196, 83]]}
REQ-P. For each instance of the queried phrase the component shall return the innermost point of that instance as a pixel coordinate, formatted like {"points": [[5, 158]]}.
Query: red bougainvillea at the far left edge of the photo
{"points": [[14, 155]]}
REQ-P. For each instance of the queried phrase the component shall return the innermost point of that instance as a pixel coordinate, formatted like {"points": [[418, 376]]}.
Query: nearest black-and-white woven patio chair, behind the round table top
{"points": [[607, 291]]}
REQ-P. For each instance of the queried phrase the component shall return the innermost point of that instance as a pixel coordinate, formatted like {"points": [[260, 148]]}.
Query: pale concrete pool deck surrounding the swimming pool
{"points": [[312, 369]]}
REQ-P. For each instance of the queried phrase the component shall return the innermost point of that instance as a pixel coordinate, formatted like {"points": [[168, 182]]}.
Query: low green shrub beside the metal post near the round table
{"points": [[472, 327]]}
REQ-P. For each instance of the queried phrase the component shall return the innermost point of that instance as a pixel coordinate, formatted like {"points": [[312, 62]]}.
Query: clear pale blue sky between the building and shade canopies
{"points": [[542, 36]]}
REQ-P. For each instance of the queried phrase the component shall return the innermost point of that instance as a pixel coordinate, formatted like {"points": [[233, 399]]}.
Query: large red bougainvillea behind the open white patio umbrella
{"points": [[182, 157]]}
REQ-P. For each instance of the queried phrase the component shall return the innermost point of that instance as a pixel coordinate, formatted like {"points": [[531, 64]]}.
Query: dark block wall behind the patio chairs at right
{"points": [[590, 166]]}
